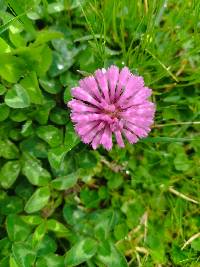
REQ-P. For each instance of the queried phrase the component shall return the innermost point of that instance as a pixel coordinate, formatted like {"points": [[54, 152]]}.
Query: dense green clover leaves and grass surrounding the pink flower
{"points": [[63, 204]]}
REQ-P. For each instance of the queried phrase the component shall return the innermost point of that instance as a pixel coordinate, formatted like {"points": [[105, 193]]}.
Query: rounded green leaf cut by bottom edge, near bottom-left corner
{"points": [[23, 254]]}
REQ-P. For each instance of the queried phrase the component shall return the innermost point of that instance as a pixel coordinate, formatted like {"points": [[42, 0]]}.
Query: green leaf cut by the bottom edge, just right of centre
{"points": [[110, 256]]}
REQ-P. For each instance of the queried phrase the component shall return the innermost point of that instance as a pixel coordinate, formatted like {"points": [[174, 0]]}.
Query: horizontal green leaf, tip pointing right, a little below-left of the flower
{"points": [[65, 182]]}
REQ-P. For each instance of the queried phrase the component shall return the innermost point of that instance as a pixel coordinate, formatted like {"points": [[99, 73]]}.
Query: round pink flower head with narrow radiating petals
{"points": [[111, 102]]}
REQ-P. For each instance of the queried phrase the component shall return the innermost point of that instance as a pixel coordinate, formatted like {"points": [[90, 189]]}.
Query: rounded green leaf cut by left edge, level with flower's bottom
{"points": [[8, 150]]}
